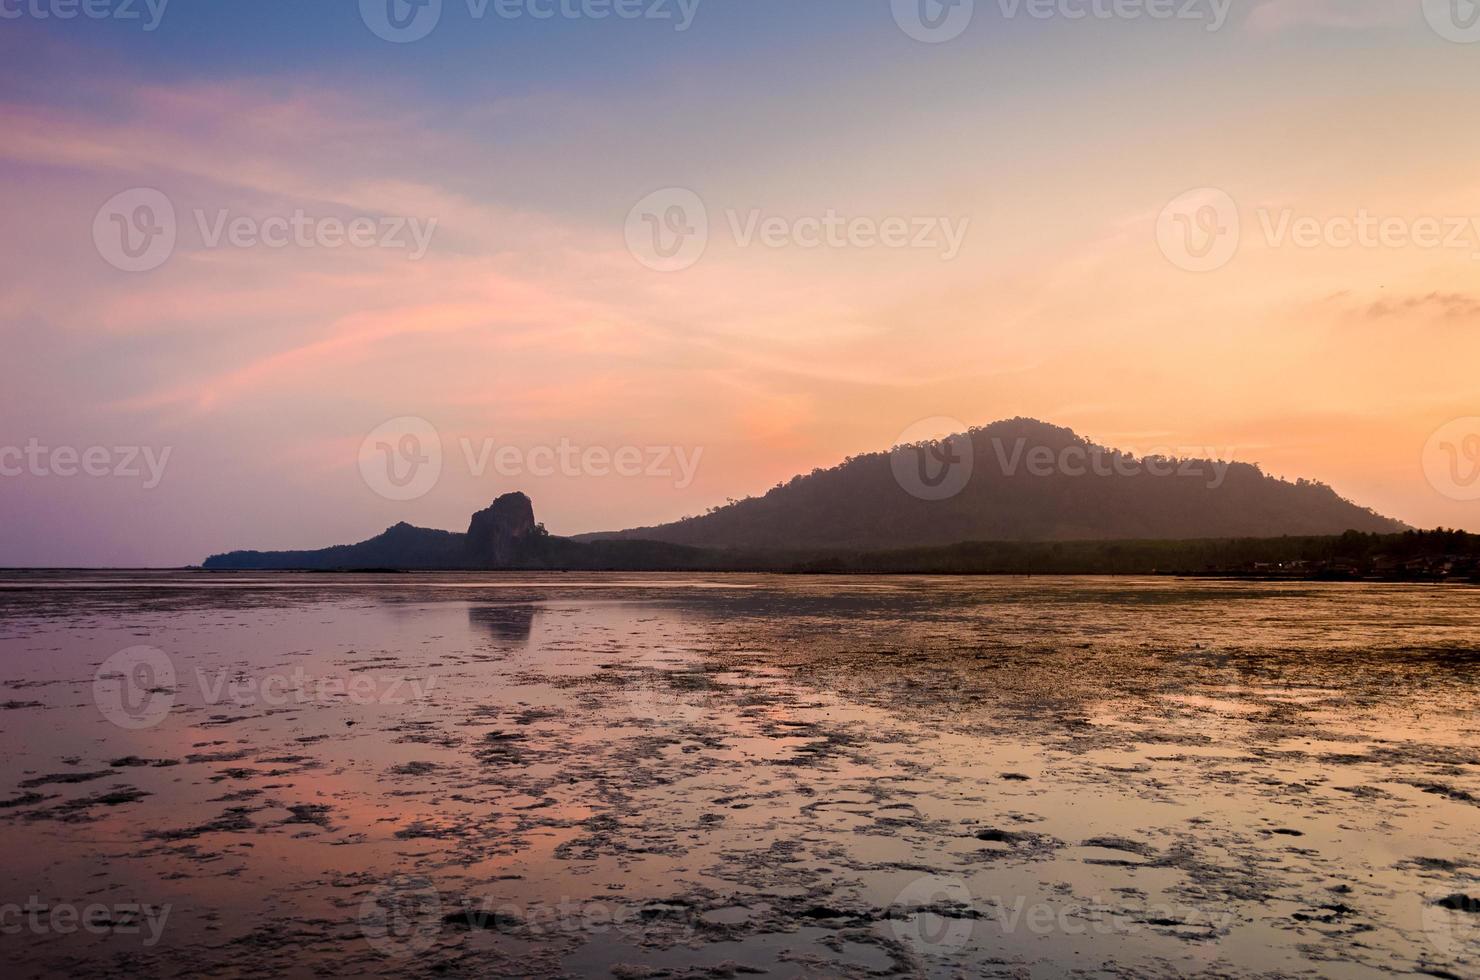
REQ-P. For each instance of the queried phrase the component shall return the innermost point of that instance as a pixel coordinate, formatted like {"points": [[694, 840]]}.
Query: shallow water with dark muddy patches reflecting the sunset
{"points": [[682, 776]]}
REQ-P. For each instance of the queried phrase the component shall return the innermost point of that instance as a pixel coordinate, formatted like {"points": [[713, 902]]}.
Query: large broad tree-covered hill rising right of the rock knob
{"points": [[1020, 480]]}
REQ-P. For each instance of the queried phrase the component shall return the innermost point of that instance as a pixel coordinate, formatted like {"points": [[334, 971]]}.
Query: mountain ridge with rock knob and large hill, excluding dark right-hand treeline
{"points": [[1013, 482]]}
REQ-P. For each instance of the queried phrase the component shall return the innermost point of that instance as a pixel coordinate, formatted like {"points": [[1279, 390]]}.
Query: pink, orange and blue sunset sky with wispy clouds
{"points": [[282, 275]]}
